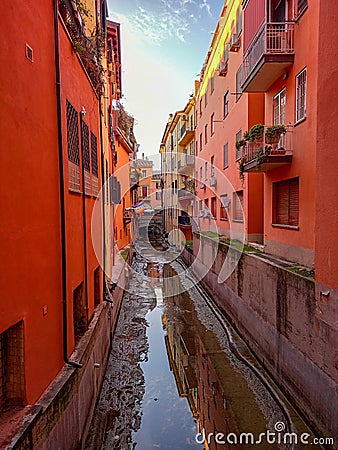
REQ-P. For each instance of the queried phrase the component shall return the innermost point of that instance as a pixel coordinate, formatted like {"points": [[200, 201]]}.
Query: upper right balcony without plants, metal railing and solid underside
{"points": [[268, 56]]}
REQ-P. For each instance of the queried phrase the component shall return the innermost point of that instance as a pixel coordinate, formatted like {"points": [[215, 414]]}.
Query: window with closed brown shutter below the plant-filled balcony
{"points": [[286, 202]]}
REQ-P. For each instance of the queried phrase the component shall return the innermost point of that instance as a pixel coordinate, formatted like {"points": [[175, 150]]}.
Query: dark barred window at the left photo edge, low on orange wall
{"points": [[12, 376]]}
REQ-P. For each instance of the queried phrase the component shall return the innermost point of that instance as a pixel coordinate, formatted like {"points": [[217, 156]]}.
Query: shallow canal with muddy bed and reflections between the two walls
{"points": [[179, 376]]}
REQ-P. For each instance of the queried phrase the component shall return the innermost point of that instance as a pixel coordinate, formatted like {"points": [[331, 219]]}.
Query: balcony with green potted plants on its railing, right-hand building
{"points": [[262, 157]]}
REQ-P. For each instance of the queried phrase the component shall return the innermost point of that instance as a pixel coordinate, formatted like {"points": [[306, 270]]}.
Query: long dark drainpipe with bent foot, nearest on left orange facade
{"points": [[62, 194]]}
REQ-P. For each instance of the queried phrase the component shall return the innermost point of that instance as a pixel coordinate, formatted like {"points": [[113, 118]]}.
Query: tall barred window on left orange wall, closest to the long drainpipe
{"points": [[73, 147]]}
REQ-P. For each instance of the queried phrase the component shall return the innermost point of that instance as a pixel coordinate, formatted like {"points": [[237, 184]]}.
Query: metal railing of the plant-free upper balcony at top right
{"points": [[271, 38]]}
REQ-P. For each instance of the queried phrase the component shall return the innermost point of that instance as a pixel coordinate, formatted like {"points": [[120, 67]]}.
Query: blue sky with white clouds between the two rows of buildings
{"points": [[164, 44]]}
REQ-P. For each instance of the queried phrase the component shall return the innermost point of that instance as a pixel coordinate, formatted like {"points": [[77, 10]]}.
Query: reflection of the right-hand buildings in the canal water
{"points": [[189, 352]]}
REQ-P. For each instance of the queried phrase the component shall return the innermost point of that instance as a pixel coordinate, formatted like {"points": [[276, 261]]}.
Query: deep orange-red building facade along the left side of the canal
{"points": [[55, 127]]}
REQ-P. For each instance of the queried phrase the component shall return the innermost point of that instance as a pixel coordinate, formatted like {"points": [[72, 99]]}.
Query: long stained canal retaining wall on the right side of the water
{"points": [[276, 311]]}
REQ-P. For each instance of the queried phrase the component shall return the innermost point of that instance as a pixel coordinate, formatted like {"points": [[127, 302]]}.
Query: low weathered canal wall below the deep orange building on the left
{"points": [[62, 416]]}
